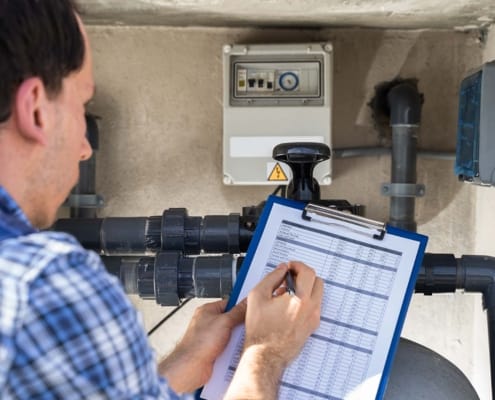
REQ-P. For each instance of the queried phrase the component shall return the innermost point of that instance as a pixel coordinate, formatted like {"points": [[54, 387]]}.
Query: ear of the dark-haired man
{"points": [[31, 110]]}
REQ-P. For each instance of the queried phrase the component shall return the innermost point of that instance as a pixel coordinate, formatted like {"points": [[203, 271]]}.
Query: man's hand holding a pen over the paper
{"points": [[277, 326]]}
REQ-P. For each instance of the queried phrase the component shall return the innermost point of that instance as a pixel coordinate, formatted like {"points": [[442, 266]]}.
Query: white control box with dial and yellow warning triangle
{"points": [[272, 94]]}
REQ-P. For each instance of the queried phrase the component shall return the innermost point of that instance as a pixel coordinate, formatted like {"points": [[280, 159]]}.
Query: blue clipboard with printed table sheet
{"points": [[369, 273]]}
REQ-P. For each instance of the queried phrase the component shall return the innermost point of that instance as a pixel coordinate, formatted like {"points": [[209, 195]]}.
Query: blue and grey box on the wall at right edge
{"points": [[475, 153]]}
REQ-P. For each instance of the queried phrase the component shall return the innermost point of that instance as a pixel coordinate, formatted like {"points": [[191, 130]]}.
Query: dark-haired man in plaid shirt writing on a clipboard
{"points": [[67, 330]]}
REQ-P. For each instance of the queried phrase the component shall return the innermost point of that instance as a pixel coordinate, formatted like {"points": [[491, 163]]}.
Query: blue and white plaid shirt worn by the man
{"points": [[67, 329]]}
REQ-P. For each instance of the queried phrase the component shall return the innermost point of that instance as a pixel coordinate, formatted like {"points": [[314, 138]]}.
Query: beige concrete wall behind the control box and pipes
{"points": [[159, 97]]}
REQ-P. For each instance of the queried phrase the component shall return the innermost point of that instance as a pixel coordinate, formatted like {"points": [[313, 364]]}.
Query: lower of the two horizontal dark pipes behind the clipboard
{"points": [[171, 277]]}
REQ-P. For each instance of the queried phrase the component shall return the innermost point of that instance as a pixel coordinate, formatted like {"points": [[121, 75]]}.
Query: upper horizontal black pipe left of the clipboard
{"points": [[175, 230]]}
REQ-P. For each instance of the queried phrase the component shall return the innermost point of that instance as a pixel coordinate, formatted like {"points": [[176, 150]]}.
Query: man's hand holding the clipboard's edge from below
{"points": [[190, 365]]}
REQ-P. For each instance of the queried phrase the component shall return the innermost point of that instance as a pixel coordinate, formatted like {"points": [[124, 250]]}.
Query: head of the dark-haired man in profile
{"points": [[45, 80]]}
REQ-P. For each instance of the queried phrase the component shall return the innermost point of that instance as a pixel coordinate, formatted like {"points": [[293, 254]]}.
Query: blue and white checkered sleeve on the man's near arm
{"points": [[82, 338]]}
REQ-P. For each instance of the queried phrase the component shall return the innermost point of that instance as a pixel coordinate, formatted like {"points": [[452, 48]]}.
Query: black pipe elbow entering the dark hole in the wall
{"points": [[405, 104]]}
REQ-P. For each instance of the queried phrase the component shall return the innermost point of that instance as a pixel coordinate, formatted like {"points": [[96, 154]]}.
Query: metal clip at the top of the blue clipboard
{"points": [[314, 212]]}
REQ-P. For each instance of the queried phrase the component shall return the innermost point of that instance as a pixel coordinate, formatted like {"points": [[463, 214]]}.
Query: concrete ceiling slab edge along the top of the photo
{"points": [[417, 14]]}
